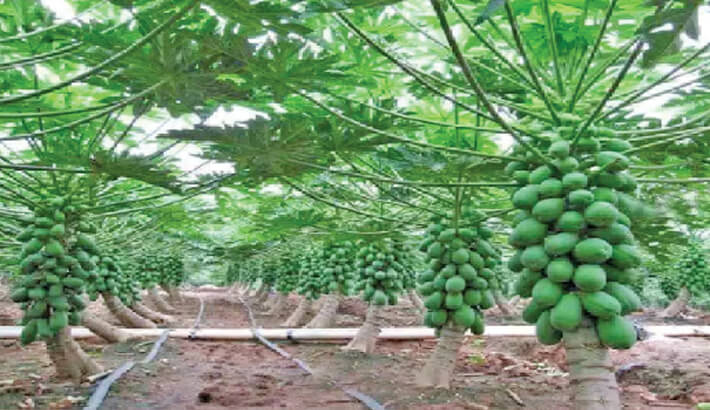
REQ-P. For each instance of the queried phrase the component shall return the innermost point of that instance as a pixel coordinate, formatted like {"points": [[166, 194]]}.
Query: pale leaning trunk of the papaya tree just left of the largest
{"points": [[439, 367]]}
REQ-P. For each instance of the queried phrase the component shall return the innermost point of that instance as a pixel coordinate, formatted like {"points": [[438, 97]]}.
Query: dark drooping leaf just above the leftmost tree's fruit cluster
{"points": [[142, 168]]}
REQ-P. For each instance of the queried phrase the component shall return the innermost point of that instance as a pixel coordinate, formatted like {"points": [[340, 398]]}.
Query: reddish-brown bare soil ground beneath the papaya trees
{"points": [[494, 373]]}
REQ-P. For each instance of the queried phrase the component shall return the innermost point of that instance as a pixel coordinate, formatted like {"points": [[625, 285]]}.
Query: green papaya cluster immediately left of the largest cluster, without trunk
{"points": [[457, 286]]}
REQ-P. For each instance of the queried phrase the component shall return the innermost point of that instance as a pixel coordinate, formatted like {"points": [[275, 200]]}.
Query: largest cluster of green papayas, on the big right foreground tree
{"points": [[575, 250]]}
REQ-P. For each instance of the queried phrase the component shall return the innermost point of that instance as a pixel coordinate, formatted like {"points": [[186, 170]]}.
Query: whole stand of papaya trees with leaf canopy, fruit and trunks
{"points": [[451, 153]]}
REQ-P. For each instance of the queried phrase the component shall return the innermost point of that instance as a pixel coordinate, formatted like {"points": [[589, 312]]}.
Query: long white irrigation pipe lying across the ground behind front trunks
{"points": [[390, 333]]}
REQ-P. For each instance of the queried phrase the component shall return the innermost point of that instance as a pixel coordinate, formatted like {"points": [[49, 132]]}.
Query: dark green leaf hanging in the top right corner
{"points": [[662, 30]]}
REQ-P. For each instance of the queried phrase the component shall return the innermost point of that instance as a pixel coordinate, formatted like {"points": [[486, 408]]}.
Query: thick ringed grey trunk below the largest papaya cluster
{"points": [[591, 371]]}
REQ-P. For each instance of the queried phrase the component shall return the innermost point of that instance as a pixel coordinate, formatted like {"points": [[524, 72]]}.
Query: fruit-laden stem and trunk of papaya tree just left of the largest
{"points": [[458, 287]]}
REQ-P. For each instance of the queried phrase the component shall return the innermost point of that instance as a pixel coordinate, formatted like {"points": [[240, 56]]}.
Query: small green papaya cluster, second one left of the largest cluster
{"points": [[382, 266]]}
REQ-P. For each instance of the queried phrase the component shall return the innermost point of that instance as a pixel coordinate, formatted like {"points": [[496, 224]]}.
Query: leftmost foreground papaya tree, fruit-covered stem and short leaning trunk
{"points": [[51, 285]]}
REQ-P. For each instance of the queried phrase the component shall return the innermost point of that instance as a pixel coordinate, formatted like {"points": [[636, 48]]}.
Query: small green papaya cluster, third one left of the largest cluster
{"points": [[327, 269]]}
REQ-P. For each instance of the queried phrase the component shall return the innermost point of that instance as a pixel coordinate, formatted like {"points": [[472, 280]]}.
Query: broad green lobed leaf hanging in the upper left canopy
{"points": [[188, 64]]}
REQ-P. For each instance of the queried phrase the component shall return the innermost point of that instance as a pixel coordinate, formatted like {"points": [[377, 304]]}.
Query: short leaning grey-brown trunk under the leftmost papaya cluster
{"points": [[70, 361]]}
